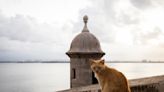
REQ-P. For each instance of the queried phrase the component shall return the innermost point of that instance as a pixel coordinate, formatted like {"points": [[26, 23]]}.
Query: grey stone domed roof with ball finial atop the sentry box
{"points": [[85, 42]]}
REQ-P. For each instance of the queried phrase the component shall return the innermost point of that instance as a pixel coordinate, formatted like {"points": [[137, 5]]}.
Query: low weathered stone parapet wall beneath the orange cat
{"points": [[150, 84]]}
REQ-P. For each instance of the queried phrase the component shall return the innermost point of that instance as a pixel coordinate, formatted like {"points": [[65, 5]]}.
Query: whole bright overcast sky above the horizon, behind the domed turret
{"points": [[130, 30]]}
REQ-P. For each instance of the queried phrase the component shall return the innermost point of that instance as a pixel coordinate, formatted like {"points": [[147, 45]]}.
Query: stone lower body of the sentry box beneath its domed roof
{"points": [[81, 73]]}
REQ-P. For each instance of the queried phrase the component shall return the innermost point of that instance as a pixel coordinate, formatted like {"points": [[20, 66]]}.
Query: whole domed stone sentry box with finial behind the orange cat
{"points": [[84, 46]]}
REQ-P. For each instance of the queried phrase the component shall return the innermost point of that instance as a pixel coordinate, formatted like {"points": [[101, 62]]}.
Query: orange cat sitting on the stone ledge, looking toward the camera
{"points": [[110, 80]]}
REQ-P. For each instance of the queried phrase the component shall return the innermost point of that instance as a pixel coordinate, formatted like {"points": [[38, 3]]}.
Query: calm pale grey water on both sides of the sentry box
{"points": [[50, 77]]}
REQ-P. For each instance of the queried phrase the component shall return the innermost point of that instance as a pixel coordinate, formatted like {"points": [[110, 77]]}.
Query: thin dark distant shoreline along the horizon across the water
{"points": [[69, 62]]}
